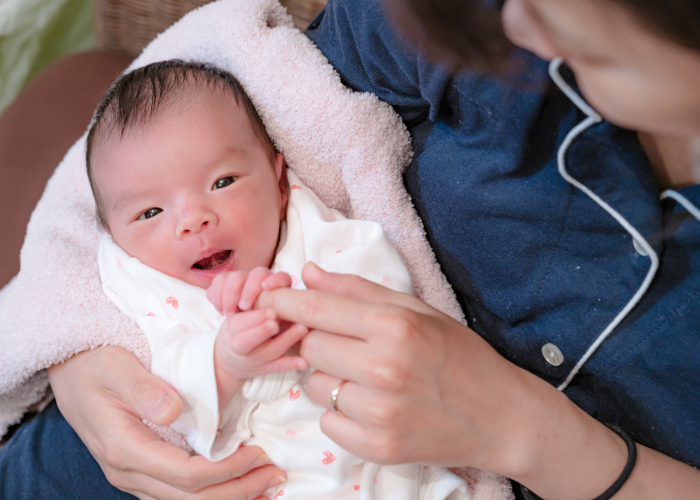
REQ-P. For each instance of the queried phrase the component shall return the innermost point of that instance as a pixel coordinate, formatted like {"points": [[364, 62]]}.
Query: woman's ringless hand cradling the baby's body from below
{"points": [[105, 393]]}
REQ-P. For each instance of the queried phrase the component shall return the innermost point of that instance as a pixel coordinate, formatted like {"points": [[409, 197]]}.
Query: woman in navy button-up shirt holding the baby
{"points": [[542, 268]]}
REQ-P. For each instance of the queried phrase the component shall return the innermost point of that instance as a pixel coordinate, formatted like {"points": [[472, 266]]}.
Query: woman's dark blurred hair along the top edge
{"points": [[469, 33]]}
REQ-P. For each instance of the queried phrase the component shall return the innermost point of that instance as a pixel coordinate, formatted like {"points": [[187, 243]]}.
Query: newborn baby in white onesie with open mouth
{"points": [[194, 196]]}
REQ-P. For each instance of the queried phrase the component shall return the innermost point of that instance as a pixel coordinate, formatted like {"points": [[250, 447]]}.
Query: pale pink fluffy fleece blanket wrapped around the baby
{"points": [[350, 148]]}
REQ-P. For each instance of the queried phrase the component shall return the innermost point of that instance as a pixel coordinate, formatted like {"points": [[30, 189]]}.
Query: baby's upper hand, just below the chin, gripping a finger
{"points": [[238, 290]]}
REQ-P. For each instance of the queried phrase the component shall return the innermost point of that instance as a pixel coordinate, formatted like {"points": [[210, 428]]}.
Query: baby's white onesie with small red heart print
{"points": [[271, 411]]}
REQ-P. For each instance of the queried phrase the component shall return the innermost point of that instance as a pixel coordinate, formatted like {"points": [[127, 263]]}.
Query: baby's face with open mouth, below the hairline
{"points": [[194, 193]]}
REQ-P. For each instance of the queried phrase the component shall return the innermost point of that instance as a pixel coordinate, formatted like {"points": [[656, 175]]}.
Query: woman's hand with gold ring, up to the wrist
{"points": [[423, 388]]}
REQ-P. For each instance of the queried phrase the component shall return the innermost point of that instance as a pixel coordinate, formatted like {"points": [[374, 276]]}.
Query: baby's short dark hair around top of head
{"points": [[136, 98]]}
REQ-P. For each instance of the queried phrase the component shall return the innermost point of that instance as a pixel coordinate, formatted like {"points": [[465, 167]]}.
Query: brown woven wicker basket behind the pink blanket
{"points": [[128, 25]]}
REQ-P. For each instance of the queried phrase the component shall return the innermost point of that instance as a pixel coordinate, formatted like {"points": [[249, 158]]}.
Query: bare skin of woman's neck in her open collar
{"points": [[675, 160]]}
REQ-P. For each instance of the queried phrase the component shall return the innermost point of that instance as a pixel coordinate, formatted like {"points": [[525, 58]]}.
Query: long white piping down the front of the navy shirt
{"points": [[592, 119]]}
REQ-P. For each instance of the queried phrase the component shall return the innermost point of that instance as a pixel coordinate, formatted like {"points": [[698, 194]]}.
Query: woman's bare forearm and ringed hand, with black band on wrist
{"points": [[424, 388]]}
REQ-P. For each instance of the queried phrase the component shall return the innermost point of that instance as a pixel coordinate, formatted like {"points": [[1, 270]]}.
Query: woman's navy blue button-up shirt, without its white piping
{"points": [[532, 259]]}
